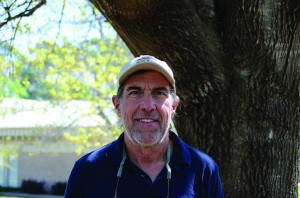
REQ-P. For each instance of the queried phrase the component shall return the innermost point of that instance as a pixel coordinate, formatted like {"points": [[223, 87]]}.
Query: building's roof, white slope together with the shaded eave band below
{"points": [[41, 126]]}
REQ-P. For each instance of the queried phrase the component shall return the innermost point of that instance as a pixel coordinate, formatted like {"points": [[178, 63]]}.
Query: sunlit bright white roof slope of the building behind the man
{"points": [[23, 113]]}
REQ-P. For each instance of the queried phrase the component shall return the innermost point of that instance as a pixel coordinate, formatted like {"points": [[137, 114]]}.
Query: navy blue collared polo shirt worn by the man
{"points": [[194, 174]]}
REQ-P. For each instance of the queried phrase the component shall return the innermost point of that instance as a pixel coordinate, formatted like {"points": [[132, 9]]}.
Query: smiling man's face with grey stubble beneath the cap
{"points": [[146, 108]]}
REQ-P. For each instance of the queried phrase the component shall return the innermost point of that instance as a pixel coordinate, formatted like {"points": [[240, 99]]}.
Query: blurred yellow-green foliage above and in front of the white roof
{"points": [[71, 72]]}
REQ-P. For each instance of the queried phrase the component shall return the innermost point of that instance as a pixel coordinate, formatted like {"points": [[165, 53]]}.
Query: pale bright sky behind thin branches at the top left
{"points": [[75, 20]]}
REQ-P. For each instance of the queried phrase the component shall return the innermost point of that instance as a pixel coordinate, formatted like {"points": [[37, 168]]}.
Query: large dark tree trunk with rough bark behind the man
{"points": [[236, 66]]}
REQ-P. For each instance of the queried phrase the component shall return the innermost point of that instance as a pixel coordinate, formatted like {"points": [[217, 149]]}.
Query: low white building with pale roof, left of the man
{"points": [[33, 143]]}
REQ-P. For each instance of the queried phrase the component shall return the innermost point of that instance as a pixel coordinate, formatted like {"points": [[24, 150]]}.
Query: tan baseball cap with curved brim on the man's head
{"points": [[146, 62]]}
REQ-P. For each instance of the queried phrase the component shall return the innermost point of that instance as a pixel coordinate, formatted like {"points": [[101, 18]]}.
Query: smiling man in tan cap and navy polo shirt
{"points": [[148, 160]]}
